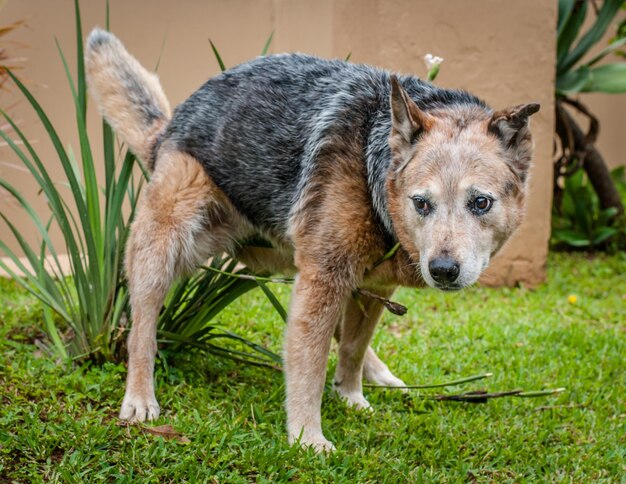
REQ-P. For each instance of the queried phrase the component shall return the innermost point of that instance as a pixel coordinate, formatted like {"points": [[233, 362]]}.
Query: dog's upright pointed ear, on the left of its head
{"points": [[407, 122]]}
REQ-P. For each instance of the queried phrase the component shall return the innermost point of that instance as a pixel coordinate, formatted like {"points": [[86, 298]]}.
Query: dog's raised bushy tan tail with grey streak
{"points": [[128, 96]]}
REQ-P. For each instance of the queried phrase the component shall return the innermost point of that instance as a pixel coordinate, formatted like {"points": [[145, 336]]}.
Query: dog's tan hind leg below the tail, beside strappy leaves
{"points": [[179, 223]]}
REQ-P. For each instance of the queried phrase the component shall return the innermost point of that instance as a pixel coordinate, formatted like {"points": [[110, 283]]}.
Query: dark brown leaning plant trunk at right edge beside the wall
{"points": [[596, 169]]}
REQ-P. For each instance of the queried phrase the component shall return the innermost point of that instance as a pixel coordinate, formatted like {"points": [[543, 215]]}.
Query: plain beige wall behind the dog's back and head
{"points": [[501, 51]]}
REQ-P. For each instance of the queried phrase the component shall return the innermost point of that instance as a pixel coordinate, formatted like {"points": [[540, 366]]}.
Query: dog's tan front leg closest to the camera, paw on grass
{"points": [[316, 306]]}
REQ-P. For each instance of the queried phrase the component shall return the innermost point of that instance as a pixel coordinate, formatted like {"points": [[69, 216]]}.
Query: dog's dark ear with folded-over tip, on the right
{"points": [[510, 126]]}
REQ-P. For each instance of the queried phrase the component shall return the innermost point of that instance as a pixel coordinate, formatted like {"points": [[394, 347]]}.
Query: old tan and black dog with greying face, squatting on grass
{"points": [[332, 163]]}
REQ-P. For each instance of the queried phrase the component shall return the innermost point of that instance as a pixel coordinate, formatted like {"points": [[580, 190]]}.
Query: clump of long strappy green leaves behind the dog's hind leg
{"points": [[86, 311]]}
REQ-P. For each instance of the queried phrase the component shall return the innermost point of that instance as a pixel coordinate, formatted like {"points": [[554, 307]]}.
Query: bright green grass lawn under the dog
{"points": [[59, 424]]}
